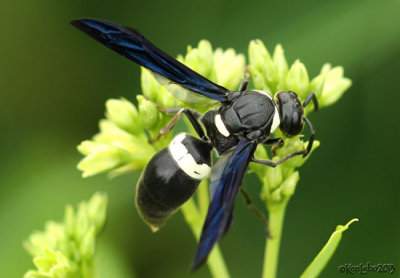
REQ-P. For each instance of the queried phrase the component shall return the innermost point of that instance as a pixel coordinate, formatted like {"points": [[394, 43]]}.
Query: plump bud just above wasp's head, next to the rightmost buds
{"points": [[297, 79]]}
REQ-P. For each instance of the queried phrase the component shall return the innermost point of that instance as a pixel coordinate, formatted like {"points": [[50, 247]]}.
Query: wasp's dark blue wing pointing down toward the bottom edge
{"points": [[226, 184]]}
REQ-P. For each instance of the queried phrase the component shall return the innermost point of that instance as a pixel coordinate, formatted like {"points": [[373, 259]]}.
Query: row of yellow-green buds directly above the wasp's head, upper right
{"points": [[272, 74]]}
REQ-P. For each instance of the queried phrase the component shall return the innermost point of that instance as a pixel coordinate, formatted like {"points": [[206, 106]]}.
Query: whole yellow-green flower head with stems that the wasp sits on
{"points": [[123, 143]]}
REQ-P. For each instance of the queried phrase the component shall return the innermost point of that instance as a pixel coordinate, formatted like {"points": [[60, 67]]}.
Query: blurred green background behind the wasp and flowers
{"points": [[54, 81]]}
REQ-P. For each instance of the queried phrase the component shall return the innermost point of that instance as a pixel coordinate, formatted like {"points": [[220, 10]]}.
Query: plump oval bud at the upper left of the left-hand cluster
{"points": [[124, 114]]}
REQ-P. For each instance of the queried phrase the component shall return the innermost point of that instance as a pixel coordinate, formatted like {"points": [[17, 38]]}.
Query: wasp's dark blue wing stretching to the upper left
{"points": [[132, 45]]}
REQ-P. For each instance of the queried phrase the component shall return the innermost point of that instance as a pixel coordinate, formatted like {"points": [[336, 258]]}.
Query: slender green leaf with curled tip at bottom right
{"points": [[323, 257]]}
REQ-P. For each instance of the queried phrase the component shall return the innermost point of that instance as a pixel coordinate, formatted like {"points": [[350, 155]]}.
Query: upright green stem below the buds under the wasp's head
{"points": [[271, 255]]}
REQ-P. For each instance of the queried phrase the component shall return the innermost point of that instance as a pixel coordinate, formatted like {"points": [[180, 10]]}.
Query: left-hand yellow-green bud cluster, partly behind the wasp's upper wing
{"points": [[122, 145]]}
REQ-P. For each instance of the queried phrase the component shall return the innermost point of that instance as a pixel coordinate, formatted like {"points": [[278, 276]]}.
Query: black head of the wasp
{"points": [[291, 112]]}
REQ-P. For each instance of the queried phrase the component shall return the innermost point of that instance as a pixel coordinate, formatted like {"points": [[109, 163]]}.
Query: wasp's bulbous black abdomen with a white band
{"points": [[171, 178]]}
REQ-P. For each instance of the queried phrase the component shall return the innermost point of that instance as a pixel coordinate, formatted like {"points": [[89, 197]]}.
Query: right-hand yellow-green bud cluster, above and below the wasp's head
{"points": [[272, 74]]}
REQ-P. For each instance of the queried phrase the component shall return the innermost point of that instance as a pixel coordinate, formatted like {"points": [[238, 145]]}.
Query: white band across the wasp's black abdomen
{"points": [[185, 160]]}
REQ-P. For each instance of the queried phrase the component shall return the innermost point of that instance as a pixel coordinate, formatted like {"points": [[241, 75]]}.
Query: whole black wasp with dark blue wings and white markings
{"points": [[243, 120]]}
